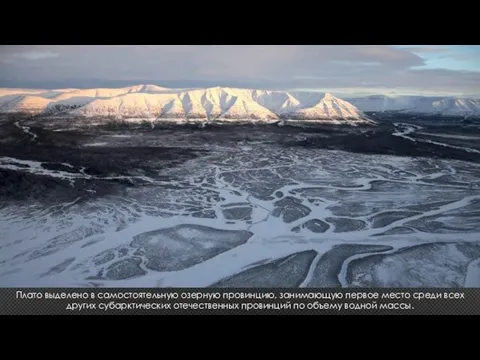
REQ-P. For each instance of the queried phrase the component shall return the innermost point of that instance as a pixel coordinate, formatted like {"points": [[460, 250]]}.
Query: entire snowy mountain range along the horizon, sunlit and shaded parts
{"points": [[151, 102]]}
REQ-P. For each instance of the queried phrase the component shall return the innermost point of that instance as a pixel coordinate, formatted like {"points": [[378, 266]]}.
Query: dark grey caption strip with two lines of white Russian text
{"points": [[183, 301]]}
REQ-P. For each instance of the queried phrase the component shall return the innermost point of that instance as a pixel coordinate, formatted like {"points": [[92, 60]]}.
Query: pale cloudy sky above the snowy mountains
{"points": [[346, 69]]}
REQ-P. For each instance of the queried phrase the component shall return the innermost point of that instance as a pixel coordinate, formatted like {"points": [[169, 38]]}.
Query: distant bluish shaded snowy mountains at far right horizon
{"points": [[418, 105]]}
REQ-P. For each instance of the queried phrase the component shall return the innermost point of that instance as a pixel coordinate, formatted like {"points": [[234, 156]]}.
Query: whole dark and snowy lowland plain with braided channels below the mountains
{"points": [[397, 204]]}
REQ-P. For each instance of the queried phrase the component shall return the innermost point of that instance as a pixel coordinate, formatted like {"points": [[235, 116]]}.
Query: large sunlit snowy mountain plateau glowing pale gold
{"points": [[152, 102]]}
